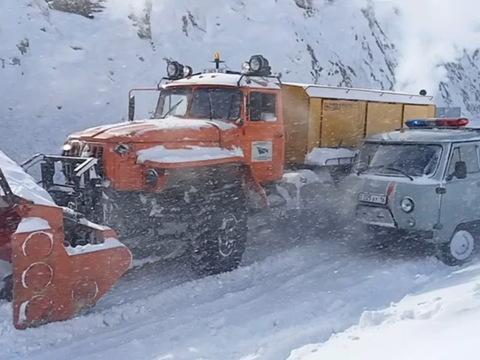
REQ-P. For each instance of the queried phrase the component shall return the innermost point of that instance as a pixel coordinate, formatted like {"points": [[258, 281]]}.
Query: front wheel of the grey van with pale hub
{"points": [[459, 249]]}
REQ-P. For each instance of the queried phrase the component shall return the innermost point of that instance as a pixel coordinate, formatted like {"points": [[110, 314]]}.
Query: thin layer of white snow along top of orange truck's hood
{"points": [[142, 127]]}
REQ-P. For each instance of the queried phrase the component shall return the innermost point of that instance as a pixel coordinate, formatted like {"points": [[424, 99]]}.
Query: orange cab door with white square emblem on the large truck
{"points": [[263, 132]]}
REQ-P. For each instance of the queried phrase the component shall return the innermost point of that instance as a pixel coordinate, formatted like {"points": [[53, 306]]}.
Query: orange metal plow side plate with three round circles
{"points": [[52, 282]]}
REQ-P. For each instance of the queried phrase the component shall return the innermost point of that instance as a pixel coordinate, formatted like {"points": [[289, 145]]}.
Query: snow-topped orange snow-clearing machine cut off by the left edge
{"points": [[53, 262]]}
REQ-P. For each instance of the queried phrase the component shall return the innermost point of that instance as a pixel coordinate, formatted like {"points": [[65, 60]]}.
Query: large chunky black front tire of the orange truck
{"points": [[220, 237]]}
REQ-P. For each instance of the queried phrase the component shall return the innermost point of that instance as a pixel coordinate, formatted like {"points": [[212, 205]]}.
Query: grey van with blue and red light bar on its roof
{"points": [[422, 182]]}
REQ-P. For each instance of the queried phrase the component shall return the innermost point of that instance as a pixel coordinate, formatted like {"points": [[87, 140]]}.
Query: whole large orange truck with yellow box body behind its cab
{"points": [[218, 144]]}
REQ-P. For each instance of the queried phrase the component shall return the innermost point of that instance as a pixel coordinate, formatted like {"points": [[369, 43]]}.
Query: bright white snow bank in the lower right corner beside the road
{"points": [[441, 322]]}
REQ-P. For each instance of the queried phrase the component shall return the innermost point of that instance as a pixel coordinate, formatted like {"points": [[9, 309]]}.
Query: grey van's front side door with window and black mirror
{"points": [[462, 191]]}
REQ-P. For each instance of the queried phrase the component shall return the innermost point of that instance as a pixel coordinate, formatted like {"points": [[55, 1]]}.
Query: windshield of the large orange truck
{"points": [[200, 103]]}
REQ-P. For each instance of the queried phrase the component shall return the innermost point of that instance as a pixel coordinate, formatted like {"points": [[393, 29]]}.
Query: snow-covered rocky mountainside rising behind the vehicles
{"points": [[61, 71]]}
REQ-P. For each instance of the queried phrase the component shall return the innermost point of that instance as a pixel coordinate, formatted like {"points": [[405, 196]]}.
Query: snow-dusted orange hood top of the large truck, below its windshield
{"points": [[171, 129]]}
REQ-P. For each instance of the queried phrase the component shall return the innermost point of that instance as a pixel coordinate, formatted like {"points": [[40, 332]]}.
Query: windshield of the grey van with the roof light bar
{"points": [[411, 160]]}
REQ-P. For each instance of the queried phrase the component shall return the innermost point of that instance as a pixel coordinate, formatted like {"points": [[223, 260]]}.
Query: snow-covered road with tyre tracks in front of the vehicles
{"points": [[287, 294]]}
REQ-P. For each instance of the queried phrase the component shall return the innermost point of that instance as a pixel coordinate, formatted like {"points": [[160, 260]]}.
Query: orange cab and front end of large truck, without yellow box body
{"points": [[179, 182]]}
